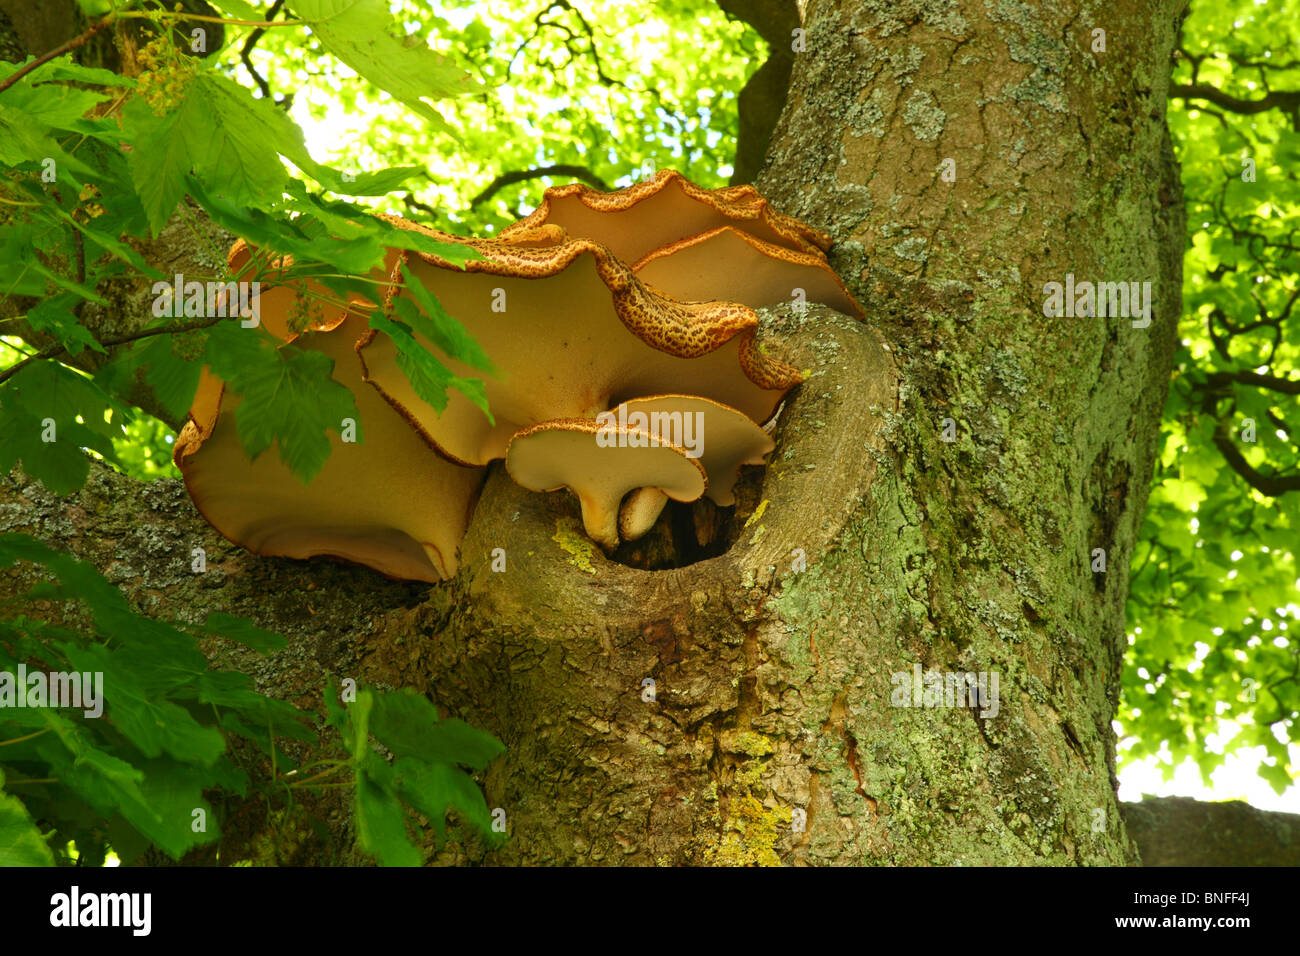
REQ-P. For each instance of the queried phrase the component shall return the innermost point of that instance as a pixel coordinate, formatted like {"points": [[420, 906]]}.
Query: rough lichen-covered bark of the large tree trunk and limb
{"points": [[869, 547]]}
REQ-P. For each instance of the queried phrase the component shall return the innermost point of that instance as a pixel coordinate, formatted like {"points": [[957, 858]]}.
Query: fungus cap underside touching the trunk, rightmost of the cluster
{"points": [[734, 266]]}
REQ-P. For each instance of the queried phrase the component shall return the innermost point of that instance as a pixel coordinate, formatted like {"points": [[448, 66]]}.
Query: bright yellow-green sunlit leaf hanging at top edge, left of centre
{"points": [[354, 32]]}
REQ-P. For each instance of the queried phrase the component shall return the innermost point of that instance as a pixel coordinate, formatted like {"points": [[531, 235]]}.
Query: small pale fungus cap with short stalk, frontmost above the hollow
{"points": [[601, 465]]}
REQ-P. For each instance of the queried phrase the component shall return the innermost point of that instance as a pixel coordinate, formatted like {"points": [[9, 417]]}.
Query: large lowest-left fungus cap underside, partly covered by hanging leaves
{"points": [[387, 501]]}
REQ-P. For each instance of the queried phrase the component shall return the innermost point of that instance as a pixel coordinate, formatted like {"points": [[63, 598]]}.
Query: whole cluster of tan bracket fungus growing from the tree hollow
{"points": [[626, 367]]}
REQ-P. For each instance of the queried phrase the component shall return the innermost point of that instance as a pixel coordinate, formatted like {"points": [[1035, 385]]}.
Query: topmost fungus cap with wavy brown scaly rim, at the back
{"points": [[658, 213]]}
